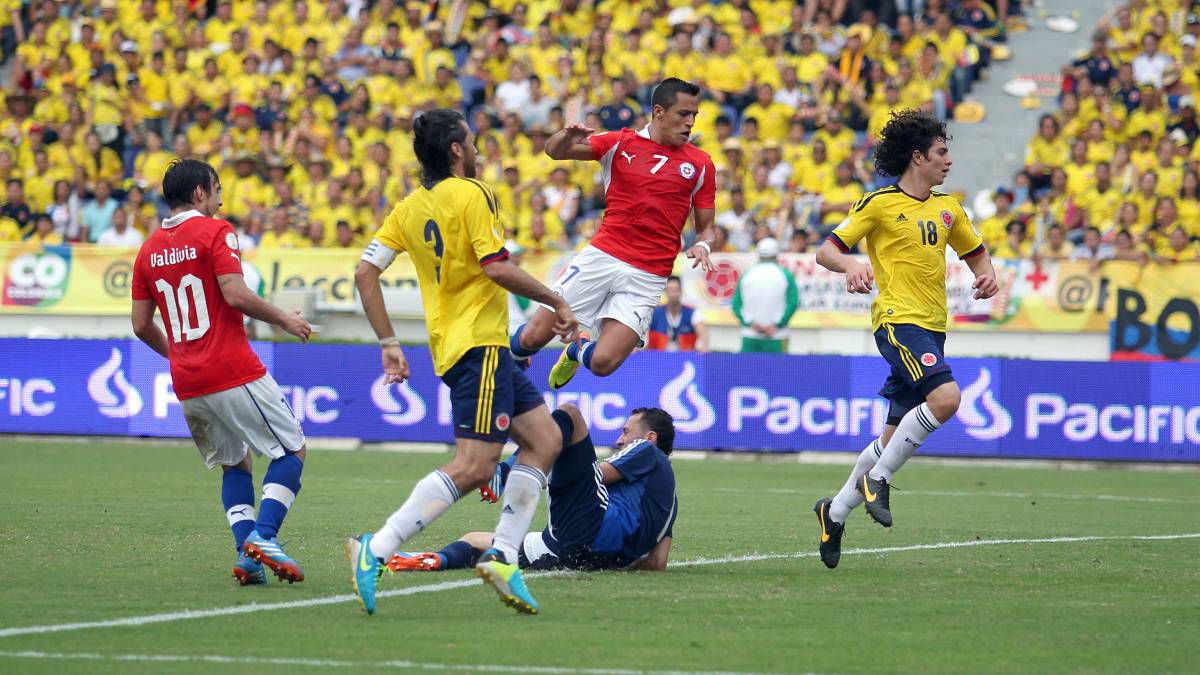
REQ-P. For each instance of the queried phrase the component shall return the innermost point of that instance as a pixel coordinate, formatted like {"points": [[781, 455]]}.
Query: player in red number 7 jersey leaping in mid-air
{"points": [[653, 181]]}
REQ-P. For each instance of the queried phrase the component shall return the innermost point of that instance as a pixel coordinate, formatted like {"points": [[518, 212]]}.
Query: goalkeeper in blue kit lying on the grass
{"points": [[611, 515]]}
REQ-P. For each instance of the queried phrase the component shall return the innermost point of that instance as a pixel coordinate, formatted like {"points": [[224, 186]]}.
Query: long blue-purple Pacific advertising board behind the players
{"points": [[763, 403]]}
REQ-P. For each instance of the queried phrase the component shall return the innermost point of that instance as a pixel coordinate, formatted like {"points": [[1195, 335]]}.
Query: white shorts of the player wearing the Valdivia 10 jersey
{"points": [[254, 416]]}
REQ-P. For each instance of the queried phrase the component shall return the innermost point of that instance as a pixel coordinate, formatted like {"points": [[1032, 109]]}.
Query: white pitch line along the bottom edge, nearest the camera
{"points": [[370, 666]]}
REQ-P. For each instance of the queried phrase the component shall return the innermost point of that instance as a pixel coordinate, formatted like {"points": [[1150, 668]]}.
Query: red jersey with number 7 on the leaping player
{"points": [[650, 190]]}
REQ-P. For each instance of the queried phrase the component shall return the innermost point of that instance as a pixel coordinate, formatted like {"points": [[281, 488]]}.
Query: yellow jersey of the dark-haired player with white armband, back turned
{"points": [[451, 231]]}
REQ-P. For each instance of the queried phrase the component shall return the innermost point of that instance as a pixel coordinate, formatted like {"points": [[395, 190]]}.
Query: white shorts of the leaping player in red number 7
{"points": [[598, 286]]}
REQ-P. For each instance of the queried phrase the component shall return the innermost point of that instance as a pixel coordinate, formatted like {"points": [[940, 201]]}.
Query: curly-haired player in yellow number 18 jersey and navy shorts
{"points": [[907, 229]]}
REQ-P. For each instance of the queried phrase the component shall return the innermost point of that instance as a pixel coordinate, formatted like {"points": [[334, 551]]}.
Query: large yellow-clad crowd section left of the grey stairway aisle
{"points": [[307, 107]]}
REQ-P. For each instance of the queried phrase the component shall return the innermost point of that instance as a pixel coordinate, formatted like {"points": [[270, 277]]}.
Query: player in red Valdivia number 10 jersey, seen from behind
{"points": [[191, 271]]}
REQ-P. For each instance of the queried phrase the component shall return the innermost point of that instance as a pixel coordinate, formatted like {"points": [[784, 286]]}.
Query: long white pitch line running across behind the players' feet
{"points": [[464, 583]]}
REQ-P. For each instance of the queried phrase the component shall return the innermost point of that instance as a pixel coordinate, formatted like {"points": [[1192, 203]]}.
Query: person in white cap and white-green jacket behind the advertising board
{"points": [[765, 302]]}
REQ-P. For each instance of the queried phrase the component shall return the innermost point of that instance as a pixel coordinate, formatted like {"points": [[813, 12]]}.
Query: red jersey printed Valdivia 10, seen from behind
{"points": [[178, 268]]}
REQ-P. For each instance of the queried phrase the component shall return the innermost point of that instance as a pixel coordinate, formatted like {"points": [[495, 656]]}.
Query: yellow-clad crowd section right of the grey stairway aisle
{"points": [[1113, 175]]}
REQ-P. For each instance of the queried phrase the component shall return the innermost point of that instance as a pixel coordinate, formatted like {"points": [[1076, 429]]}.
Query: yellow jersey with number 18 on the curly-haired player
{"points": [[907, 241]]}
